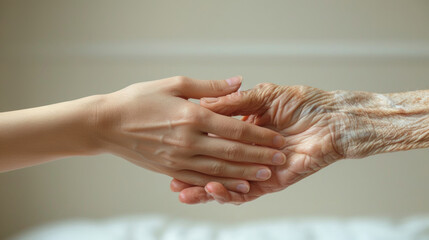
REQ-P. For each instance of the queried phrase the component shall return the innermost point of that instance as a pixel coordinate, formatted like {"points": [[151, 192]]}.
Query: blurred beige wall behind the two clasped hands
{"points": [[53, 51]]}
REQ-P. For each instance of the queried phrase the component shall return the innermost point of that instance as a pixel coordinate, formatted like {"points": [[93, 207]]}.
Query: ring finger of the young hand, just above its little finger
{"points": [[221, 168]]}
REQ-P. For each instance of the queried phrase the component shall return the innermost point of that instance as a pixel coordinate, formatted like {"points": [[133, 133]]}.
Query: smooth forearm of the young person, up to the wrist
{"points": [[37, 135]]}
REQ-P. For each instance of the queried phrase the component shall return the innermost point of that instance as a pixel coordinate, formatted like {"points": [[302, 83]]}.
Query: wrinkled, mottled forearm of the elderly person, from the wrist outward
{"points": [[379, 123]]}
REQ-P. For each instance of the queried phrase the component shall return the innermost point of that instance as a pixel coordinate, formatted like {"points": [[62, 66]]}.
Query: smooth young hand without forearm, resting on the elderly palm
{"points": [[154, 125]]}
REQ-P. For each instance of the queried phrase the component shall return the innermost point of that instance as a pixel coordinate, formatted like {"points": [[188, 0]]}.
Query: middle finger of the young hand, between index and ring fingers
{"points": [[239, 152]]}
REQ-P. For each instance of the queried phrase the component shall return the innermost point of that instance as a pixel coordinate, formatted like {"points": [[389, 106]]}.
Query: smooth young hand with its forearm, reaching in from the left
{"points": [[152, 125]]}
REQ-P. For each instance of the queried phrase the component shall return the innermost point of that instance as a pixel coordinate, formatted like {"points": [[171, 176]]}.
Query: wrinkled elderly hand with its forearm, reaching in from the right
{"points": [[319, 128]]}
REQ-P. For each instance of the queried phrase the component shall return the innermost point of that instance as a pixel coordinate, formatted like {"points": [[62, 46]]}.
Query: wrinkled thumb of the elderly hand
{"points": [[250, 102]]}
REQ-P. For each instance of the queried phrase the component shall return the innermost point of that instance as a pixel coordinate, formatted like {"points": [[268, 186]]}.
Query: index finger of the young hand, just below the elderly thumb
{"points": [[235, 129]]}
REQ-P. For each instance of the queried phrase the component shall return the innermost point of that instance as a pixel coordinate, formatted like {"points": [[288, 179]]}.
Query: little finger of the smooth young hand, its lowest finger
{"points": [[199, 179]]}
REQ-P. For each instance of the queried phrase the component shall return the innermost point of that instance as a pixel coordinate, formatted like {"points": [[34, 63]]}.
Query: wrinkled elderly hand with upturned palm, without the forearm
{"points": [[312, 123]]}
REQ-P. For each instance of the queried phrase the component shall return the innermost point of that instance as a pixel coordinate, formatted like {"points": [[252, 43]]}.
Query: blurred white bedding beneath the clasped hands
{"points": [[161, 227]]}
